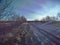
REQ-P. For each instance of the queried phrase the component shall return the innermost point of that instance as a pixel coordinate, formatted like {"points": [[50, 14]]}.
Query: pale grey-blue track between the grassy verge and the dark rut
{"points": [[39, 37]]}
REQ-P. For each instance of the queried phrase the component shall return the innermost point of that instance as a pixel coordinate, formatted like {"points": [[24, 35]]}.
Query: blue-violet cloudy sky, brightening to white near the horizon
{"points": [[36, 9]]}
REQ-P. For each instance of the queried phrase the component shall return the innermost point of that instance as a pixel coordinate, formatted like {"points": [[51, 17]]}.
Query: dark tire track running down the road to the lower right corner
{"points": [[52, 37]]}
